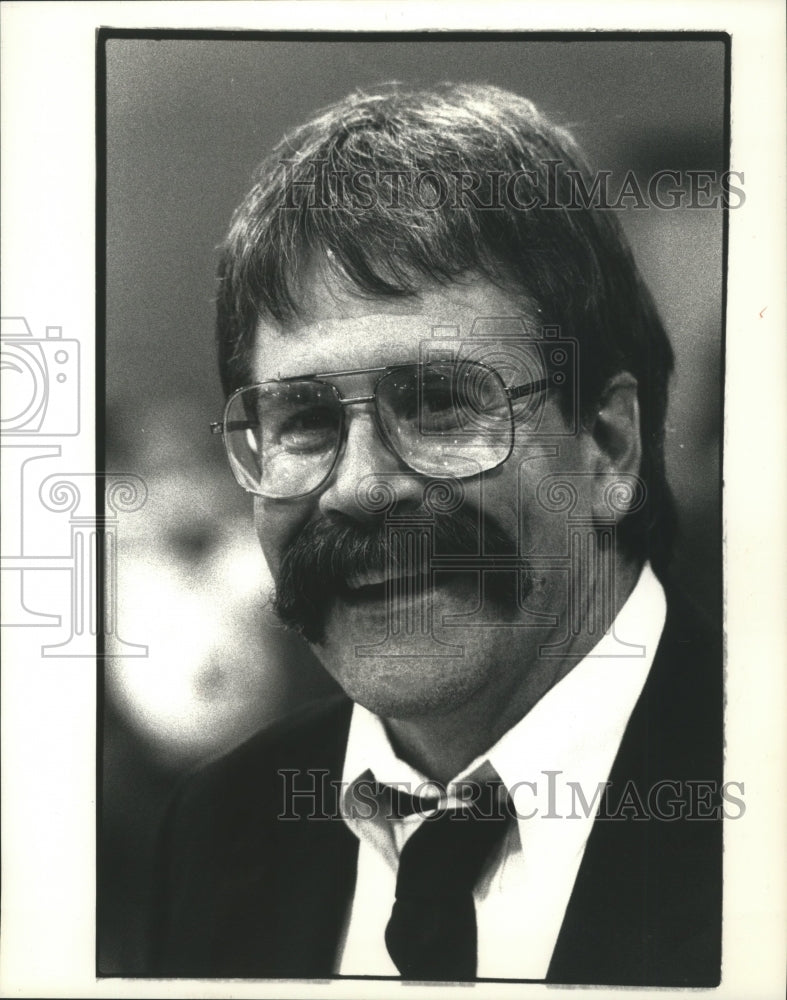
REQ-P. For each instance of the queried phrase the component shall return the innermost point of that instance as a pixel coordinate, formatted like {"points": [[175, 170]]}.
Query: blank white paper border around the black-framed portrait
{"points": [[48, 178]]}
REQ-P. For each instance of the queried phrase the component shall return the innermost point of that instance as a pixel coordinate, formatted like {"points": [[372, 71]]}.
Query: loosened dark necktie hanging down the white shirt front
{"points": [[432, 931]]}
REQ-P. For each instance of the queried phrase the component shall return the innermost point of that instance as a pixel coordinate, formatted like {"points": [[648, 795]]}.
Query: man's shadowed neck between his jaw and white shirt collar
{"points": [[441, 746]]}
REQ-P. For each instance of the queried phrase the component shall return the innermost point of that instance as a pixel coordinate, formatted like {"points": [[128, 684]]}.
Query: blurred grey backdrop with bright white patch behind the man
{"points": [[187, 122]]}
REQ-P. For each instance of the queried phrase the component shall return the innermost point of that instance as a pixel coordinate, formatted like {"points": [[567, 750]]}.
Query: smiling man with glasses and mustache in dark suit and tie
{"points": [[446, 390]]}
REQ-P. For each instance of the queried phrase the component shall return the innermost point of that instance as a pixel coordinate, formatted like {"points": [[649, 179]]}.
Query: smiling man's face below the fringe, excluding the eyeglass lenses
{"points": [[468, 634]]}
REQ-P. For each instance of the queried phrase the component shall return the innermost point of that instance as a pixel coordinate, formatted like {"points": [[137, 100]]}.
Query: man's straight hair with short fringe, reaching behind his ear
{"points": [[353, 187]]}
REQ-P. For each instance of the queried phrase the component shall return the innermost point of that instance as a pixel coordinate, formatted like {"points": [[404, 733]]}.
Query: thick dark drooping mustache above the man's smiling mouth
{"points": [[322, 561]]}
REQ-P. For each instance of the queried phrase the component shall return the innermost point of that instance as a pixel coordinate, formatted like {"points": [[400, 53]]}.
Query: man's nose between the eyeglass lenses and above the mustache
{"points": [[368, 478]]}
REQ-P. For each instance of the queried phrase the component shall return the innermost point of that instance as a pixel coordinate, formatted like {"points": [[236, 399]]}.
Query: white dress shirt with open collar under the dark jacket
{"points": [[560, 752]]}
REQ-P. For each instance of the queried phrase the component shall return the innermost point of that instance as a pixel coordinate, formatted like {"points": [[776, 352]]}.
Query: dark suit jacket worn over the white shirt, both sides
{"points": [[244, 894]]}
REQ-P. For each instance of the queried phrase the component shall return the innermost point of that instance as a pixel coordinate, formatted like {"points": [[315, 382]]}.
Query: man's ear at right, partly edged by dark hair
{"points": [[615, 436]]}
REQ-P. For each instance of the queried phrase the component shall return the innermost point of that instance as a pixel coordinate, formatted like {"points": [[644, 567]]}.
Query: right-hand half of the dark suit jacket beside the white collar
{"points": [[646, 904]]}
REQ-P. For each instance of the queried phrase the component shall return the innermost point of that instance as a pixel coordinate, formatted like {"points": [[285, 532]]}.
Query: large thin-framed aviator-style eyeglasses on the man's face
{"points": [[441, 418]]}
